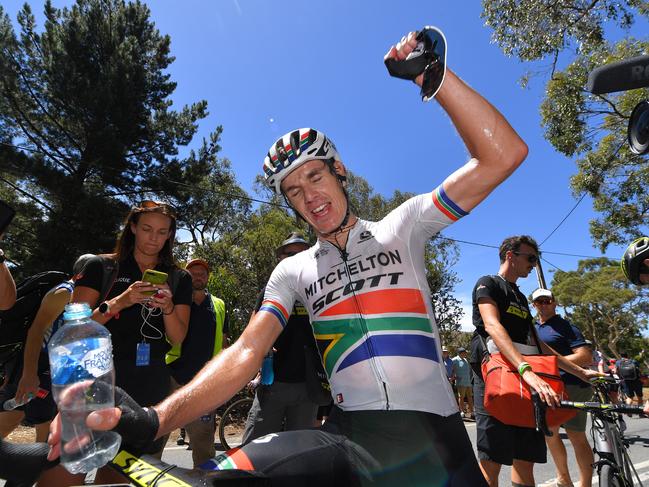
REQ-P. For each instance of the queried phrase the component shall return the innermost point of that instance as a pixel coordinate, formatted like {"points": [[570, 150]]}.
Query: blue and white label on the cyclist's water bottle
{"points": [[81, 360]]}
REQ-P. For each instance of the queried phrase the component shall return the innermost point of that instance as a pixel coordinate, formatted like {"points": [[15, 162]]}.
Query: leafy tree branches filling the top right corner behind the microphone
{"points": [[590, 129]]}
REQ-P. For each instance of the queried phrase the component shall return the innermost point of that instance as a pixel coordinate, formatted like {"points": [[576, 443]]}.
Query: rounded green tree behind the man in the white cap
{"points": [[599, 300]]}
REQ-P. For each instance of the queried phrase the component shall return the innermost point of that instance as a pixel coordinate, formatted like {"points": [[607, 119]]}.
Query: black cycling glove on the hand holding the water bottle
{"points": [[138, 426]]}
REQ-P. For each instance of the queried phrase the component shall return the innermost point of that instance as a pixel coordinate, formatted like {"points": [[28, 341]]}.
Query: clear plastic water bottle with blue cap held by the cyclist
{"points": [[83, 380]]}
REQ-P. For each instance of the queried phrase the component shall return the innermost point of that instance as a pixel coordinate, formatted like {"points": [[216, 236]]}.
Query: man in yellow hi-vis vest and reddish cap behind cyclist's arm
{"points": [[206, 337]]}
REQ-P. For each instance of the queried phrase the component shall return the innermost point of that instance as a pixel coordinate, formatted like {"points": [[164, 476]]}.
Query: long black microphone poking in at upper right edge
{"points": [[628, 74]]}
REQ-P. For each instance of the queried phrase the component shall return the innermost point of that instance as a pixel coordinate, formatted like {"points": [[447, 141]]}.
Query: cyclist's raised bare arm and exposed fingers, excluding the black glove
{"points": [[495, 148]]}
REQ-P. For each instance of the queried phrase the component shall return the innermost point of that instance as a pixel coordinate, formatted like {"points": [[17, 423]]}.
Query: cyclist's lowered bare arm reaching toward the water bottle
{"points": [[222, 376]]}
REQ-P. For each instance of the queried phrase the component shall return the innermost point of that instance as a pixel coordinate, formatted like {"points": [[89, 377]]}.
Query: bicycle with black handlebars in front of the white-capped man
{"points": [[613, 464]]}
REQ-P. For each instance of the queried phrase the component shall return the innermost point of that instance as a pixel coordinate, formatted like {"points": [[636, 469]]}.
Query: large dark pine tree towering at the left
{"points": [[86, 130]]}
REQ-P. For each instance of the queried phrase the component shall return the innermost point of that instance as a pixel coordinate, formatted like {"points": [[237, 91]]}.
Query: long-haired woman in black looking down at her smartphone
{"points": [[143, 317]]}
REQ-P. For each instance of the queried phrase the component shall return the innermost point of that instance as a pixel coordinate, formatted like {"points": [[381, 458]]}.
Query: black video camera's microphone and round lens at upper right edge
{"points": [[628, 74]]}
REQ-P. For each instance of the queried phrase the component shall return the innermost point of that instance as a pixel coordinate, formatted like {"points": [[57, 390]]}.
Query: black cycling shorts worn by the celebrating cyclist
{"points": [[378, 448]]}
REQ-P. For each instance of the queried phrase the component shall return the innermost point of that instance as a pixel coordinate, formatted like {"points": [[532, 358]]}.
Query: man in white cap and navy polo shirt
{"points": [[567, 340]]}
